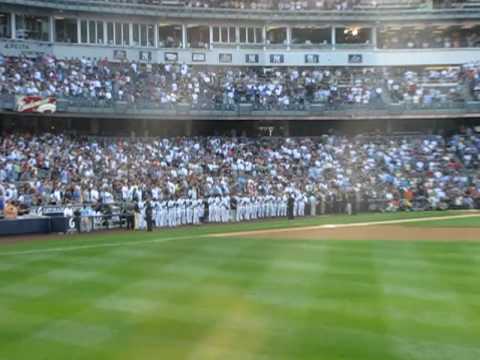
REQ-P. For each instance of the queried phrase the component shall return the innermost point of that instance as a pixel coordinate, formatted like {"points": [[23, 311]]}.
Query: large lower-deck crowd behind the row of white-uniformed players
{"points": [[400, 172]]}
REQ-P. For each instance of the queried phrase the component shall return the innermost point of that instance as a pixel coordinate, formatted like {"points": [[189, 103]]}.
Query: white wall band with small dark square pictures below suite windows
{"points": [[326, 57]]}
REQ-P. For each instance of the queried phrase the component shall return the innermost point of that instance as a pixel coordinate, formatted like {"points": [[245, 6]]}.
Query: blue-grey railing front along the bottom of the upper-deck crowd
{"points": [[79, 105]]}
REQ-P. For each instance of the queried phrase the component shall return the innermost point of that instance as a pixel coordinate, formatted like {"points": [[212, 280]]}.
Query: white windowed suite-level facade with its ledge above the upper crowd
{"points": [[155, 33]]}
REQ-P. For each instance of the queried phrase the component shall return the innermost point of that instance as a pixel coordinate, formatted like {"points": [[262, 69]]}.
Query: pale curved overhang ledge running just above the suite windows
{"points": [[165, 12]]}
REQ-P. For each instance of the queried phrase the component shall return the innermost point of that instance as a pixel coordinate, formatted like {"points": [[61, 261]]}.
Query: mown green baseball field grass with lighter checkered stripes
{"points": [[179, 294]]}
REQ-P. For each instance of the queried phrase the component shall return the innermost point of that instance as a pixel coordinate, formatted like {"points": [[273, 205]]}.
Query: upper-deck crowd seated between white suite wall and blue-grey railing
{"points": [[164, 85]]}
